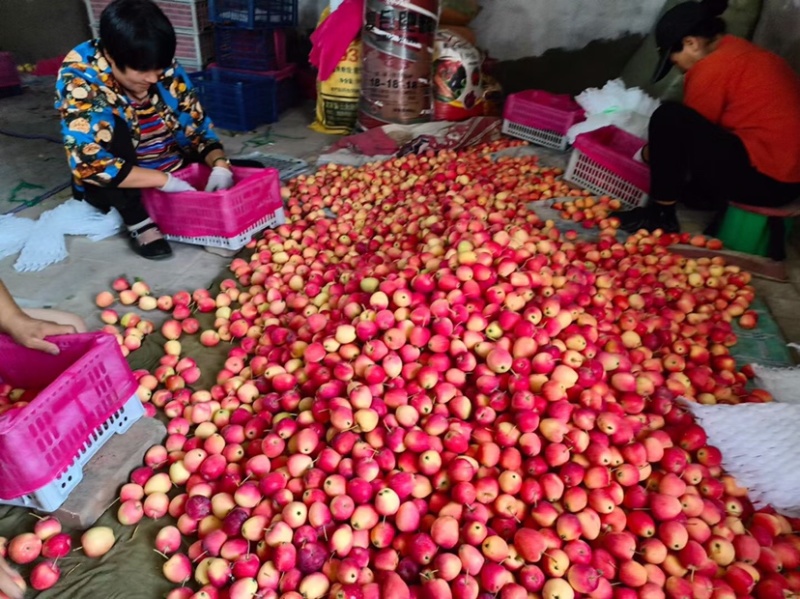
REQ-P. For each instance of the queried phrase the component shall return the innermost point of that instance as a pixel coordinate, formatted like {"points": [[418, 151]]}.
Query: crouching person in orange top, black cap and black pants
{"points": [[735, 137]]}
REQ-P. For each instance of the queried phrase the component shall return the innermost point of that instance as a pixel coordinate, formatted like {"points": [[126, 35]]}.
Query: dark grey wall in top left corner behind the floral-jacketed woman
{"points": [[37, 29]]}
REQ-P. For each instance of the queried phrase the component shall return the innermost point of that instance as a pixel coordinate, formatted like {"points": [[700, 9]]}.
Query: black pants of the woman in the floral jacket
{"points": [[128, 201]]}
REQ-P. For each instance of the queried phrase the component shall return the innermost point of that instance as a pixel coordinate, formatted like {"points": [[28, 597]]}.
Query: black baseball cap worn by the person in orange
{"points": [[677, 23]]}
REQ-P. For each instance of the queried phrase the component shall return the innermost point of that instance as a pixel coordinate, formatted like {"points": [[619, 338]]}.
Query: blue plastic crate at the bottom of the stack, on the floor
{"points": [[241, 101]]}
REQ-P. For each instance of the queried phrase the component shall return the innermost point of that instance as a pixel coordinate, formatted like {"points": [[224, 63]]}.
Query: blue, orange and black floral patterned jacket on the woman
{"points": [[88, 98]]}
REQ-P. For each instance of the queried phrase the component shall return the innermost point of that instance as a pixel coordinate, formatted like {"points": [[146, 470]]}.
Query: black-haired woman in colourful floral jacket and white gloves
{"points": [[130, 117]]}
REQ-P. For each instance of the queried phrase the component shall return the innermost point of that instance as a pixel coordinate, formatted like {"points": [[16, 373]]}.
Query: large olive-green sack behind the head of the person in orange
{"points": [[741, 18]]}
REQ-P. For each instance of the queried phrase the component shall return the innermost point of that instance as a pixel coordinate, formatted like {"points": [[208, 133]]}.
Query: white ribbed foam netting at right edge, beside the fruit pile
{"points": [[760, 447]]}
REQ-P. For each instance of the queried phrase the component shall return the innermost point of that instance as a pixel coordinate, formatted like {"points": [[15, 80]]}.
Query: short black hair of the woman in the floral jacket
{"points": [[137, 34]]}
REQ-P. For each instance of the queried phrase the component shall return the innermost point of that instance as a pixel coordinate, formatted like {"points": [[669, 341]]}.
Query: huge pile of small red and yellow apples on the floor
{"points": [[435, 394]]}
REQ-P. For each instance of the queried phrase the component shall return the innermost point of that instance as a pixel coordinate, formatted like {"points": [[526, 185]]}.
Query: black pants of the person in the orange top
{"points": [[697, 163]]}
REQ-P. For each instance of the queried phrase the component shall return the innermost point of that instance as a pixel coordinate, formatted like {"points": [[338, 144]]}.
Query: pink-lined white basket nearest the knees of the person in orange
{"points": [[602, 162]]}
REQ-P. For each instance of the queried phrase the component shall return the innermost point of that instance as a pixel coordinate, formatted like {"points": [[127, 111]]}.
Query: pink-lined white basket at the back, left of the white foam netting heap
{"points": [[541, 117]]}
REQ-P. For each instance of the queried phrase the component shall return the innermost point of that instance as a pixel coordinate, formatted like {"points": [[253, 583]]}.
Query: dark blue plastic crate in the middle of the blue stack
{"points": [[250, 50]]}
